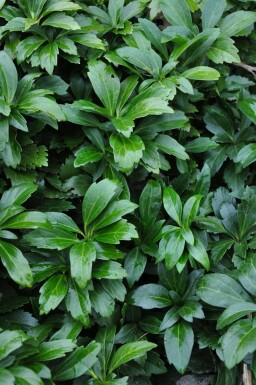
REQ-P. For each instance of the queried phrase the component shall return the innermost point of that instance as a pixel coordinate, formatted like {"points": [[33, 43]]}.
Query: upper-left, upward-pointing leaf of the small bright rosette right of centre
{"points": [[172, 204]]}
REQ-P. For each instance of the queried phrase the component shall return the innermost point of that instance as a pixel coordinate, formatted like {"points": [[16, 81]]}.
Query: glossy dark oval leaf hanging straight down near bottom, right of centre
{"points": [[179, 341]]}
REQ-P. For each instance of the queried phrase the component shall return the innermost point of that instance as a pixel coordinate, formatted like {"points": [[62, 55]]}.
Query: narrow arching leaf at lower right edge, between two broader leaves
{"points": [[234, 312]]}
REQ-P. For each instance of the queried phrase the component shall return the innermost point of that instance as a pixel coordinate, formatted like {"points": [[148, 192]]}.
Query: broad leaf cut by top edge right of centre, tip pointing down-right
{"points": [[177, 13]]}
